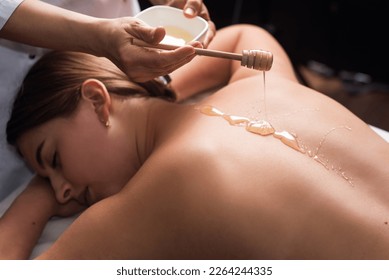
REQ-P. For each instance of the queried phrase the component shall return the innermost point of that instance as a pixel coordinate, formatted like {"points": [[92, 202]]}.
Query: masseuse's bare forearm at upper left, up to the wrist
{"points": [[43, 25]]}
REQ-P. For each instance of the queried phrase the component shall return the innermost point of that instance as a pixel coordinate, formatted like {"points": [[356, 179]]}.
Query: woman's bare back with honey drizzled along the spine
{"points": [[264, 197]]}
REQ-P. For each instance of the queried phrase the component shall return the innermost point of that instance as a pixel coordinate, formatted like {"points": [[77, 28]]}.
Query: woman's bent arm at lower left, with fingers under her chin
{"points": [[22, 224]]}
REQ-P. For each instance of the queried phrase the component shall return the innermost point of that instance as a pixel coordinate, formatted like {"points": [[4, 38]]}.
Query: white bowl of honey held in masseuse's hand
{"points": [[179, 29]]}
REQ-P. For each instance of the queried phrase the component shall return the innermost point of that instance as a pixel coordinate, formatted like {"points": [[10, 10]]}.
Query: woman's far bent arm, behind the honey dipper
{"points": [[204, 73]]}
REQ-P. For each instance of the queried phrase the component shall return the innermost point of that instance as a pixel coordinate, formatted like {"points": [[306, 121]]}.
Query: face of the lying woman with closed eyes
{"points": [[82, 157]]}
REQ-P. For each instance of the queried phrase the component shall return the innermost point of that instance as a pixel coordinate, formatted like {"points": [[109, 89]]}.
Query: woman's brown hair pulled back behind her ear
{"points": [[51, 89]]}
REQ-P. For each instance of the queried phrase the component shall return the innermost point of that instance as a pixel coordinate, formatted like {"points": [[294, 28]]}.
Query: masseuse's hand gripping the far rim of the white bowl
{"points": [[191, 9]]}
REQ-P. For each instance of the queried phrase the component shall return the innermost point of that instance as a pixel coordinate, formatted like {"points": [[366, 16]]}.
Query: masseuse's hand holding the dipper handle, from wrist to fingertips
{"points": [[138, 63]]}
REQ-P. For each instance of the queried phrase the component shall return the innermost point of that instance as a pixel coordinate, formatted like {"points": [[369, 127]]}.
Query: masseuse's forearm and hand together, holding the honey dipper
{"points": [[40, 24]]}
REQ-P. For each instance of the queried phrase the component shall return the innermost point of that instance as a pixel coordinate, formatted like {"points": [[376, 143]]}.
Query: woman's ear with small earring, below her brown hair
{"points": [[96, 93]]}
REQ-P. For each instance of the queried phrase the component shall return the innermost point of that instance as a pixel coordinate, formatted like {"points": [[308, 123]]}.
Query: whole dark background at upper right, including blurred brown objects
{"points": [[338, 47]]}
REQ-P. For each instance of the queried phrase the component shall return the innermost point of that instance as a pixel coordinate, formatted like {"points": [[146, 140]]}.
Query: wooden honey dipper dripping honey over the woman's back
{"points": [[252, 59]]}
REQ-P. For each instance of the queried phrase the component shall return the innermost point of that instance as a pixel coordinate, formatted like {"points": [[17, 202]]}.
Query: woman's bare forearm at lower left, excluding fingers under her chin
{"points": [[22, 225]]}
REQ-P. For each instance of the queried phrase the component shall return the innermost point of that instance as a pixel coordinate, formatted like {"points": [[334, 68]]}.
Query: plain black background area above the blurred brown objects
{"points": [[345, 35]]}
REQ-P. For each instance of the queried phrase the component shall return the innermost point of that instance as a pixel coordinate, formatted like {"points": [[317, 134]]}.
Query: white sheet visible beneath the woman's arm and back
{"points": [[56, 226]]}
